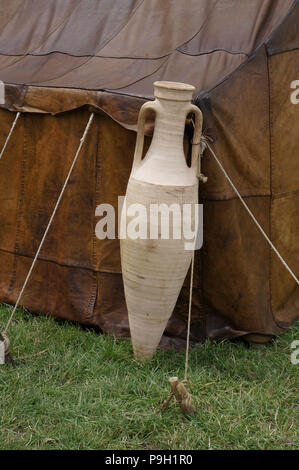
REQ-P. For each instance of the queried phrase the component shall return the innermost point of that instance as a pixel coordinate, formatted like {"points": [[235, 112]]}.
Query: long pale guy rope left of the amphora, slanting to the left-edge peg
{"points": [[4, 341]]}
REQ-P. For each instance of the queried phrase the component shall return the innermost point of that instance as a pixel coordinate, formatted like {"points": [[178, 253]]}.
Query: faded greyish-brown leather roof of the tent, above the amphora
{"points": [[124, 49]]}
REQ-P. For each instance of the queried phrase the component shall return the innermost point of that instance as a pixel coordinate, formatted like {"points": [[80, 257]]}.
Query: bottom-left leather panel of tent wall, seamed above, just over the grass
{"points": [[73, 287]]}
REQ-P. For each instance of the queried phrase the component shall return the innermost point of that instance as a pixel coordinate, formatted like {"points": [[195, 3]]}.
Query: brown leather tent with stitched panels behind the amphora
{"points": [[60, 59]]}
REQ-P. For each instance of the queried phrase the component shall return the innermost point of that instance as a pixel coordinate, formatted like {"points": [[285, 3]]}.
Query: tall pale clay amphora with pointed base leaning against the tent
{"points": [[154, 262]]}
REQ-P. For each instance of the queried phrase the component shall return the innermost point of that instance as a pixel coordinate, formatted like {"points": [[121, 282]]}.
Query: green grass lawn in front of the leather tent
{"points": [[87, 392]]}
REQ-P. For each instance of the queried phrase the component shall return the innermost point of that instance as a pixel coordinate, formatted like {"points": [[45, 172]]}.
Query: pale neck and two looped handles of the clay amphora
{"points": [[165, 161]]}
